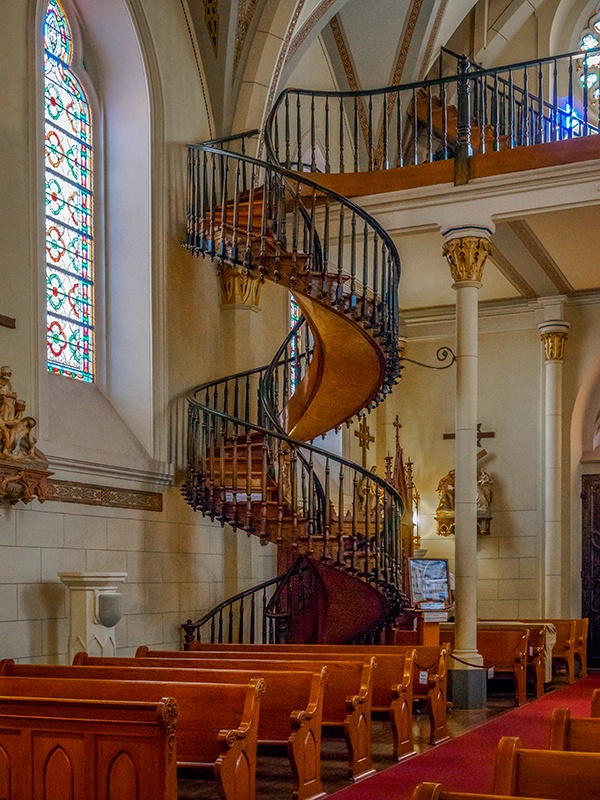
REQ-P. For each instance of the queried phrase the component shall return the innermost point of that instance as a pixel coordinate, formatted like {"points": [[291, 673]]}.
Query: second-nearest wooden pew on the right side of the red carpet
{"points": [[554, 774]]}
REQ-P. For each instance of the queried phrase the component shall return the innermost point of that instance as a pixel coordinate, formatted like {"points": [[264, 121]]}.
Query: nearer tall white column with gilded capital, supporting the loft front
{"points": [[466, 250]]}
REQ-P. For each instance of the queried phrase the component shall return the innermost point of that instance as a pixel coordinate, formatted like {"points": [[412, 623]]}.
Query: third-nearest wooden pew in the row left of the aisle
{"points": [[290, 713]]}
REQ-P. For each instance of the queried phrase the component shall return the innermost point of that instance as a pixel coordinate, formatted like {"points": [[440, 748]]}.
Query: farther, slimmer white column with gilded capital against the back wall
{"points": [[553, 334]]}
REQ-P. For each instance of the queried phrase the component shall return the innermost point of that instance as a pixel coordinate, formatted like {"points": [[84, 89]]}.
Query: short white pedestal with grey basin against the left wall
{"points": [[96, 608]]}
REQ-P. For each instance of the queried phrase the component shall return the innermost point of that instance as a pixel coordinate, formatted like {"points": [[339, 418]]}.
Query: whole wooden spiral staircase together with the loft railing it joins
{"points": [[252, 461]]}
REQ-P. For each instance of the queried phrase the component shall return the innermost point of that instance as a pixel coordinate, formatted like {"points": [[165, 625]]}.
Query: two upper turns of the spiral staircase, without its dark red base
{"points": [[251, 458]]}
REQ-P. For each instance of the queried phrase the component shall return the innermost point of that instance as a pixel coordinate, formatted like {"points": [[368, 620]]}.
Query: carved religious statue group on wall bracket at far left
{"points": [[23, 468]]}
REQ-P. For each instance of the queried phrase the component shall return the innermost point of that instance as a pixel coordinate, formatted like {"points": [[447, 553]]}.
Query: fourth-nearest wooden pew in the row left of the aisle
{"points": [[348, 695]]}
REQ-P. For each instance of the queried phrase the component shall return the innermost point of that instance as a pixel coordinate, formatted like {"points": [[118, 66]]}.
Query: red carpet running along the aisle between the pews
{"points": [[466, 763]]}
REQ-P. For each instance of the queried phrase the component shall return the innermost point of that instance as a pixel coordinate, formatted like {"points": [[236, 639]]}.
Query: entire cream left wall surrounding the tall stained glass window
{"points": [[179, 564]]}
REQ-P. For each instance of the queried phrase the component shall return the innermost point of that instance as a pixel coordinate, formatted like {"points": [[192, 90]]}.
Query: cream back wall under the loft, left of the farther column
{"points": [[510, 559]]}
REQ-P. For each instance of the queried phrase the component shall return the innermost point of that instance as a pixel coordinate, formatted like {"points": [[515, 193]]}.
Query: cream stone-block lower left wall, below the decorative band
{"points": [[175, 562]]}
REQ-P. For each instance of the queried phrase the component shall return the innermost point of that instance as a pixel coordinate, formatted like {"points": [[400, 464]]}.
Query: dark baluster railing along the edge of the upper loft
{"points": [[532, 102]]}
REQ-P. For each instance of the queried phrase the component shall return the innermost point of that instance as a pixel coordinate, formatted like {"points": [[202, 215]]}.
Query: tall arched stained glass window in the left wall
{"points": [[68, 182]]}
